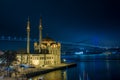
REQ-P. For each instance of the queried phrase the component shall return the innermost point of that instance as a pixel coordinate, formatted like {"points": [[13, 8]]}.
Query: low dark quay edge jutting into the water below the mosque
{"points": [[30, 72]]}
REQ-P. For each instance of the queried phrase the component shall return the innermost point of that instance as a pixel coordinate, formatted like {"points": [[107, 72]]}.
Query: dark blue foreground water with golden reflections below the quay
{"points": [[88, 70]]}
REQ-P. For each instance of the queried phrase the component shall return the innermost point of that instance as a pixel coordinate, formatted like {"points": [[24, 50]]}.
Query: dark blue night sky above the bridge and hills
{"points": [[95, 21]]}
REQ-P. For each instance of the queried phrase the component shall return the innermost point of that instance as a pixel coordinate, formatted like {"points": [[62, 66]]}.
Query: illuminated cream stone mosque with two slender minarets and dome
{"points": [[47, 51]]}
